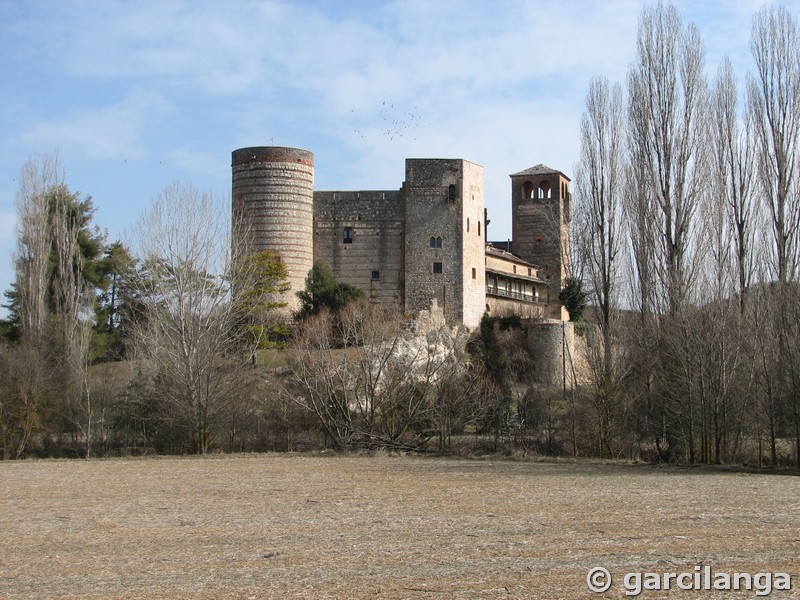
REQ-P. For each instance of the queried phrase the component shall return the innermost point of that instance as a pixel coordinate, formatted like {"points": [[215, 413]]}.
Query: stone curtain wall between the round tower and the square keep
{"points": [[371, 256]]}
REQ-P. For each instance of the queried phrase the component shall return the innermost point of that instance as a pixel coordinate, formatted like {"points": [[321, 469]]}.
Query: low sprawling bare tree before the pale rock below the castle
{"points": [[369, 382]]}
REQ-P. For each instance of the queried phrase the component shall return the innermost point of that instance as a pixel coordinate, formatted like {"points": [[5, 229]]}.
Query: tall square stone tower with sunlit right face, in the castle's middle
{"points": [[444, 237]]}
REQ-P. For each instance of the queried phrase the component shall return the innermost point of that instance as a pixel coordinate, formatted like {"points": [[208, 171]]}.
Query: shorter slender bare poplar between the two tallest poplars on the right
{"points": [[717, 345]]}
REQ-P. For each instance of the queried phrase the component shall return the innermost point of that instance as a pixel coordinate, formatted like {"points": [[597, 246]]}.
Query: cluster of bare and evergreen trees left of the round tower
{"points": [[131, 349]]}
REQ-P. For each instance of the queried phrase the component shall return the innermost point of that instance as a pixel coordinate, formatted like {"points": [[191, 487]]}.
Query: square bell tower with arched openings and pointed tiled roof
{"points": [[541, 212]]}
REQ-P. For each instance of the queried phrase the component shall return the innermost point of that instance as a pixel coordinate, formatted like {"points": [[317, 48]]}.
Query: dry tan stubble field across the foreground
{"points": [[297, 526]]}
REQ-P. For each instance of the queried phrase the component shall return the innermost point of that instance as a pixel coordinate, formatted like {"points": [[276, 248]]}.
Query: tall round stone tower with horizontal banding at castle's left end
{"points": [[273, 201]]}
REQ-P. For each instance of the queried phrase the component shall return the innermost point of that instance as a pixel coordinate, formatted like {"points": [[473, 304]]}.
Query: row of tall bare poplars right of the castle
{"points": [[687, 235]]}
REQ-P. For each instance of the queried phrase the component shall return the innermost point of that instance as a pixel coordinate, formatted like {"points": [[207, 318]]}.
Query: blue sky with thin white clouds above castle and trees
{"points": [[135, 95]]}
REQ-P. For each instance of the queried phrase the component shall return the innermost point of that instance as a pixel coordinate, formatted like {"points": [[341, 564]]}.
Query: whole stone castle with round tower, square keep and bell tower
{"points": [[423, 242]]}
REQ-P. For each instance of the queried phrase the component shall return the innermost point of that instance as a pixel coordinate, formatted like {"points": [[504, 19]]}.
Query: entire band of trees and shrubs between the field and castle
{"points": [[685, 237]]}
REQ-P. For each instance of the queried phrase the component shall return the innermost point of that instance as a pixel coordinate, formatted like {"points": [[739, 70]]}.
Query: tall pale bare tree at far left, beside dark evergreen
{"points": [[54, 300]]}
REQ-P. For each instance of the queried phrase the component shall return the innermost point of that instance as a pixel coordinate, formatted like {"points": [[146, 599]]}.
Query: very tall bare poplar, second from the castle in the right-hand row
{"points": [[667, 105]]}
